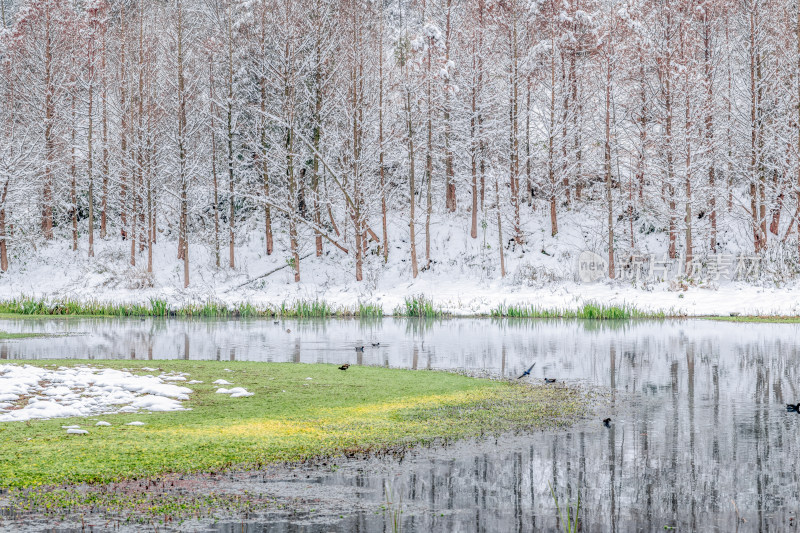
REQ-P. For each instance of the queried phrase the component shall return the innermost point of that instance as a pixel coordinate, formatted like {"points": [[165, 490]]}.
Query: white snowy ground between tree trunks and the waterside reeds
{"points": [[464, 276]]}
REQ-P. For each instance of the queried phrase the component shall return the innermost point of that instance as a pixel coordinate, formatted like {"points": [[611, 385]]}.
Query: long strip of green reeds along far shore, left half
{"points": [[28, 307]]}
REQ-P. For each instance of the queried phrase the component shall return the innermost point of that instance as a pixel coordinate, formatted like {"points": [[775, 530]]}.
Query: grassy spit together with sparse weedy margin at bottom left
{"points": [[296, 413]]}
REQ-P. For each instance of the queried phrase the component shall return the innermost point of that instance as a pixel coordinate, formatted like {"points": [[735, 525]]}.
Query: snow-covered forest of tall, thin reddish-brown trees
{"points": [[413, 135]]}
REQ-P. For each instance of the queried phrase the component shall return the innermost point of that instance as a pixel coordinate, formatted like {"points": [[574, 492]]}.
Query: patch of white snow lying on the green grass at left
{"points": [[82, 391]]}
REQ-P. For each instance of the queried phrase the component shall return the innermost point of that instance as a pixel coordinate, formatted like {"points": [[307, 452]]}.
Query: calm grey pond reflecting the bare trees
{"points": [[699, 438]]}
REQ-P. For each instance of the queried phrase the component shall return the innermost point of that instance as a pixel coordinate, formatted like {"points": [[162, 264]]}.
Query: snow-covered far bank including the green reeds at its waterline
{"points": [[463, 279]]}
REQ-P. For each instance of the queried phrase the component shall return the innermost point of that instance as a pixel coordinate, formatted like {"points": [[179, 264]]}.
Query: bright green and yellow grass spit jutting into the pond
{"points": [[289, 418]]}
